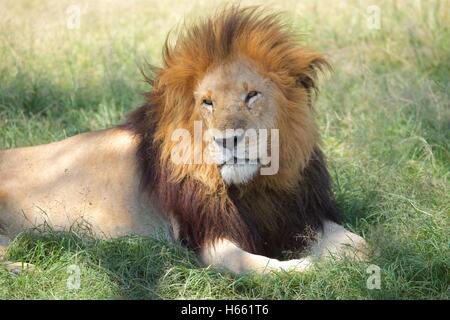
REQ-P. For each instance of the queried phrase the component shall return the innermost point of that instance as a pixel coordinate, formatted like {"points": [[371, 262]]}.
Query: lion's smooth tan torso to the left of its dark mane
{"points": [[89, 178]]}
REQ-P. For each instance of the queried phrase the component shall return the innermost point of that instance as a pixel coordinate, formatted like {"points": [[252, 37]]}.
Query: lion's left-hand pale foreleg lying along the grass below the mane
{"points": [[226, 255]]}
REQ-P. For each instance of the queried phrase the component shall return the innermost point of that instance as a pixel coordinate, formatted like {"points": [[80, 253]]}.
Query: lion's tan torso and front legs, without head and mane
{"points": [[96, 178]]}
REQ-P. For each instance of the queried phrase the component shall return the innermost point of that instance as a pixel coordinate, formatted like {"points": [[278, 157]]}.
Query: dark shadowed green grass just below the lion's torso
{"points": [[134, 264]]}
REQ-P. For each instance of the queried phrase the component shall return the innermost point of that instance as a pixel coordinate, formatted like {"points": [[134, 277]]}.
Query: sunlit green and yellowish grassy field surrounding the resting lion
{"points": [[384, 115]]}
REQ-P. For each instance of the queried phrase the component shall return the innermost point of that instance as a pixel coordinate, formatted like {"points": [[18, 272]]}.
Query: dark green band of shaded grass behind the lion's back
{"points": [[45, 96]]}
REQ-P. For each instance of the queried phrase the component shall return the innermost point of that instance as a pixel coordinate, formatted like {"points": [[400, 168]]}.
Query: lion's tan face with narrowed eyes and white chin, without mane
{"points": [[238, 106]]}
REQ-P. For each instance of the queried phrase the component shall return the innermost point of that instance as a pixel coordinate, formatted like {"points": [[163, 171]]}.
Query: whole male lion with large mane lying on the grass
{"points": [[241, 69]]}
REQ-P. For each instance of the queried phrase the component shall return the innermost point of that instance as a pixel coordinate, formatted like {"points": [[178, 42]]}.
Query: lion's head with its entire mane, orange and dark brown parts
{"points": [[241, 69]]}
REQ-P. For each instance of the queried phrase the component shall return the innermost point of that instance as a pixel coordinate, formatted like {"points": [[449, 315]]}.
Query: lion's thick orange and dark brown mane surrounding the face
{"points": [[271, 214]]}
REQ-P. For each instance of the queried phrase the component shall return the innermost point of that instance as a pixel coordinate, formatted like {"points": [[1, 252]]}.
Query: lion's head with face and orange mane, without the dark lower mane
{"points": [[241, 69]]}
